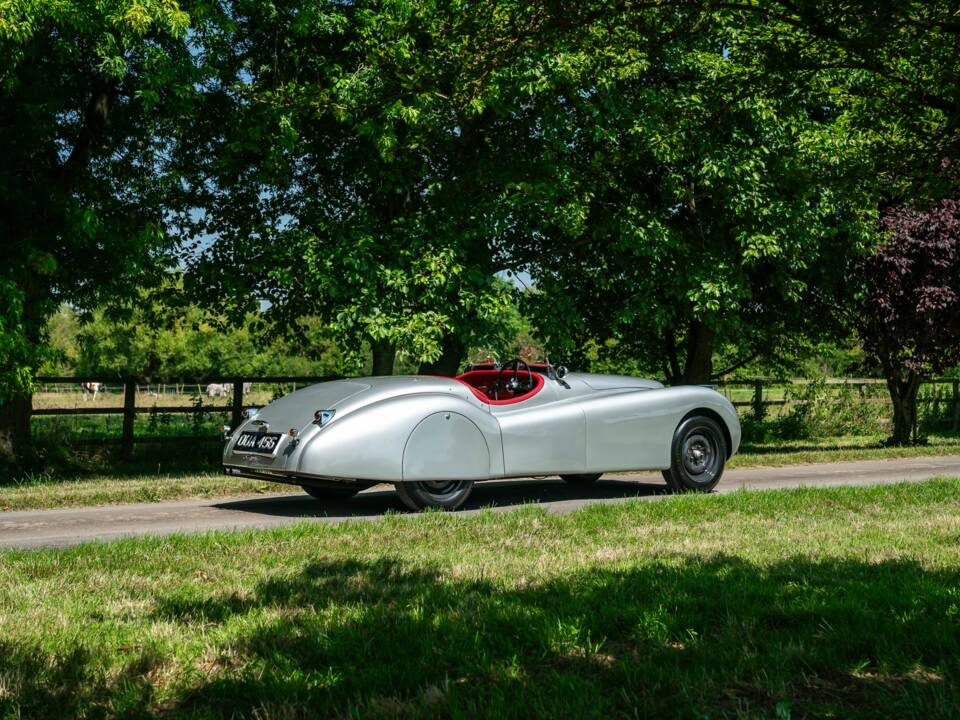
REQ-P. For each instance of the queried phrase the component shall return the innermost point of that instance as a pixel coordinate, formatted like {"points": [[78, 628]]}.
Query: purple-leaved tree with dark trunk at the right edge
{"points": [[911, 323]]}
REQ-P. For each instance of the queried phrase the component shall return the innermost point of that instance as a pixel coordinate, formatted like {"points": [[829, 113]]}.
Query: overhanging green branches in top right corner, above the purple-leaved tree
{"points": [[897, 65]]}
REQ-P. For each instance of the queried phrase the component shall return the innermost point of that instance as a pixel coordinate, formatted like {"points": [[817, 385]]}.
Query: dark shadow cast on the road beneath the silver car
{"points": [[555, 494]]}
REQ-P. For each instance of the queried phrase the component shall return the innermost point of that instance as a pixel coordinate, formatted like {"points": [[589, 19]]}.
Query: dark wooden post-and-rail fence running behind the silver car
{"points": [[755, 392]]}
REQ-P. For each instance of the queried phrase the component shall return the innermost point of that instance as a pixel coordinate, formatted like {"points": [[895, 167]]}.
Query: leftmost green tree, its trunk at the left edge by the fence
{"points": [[88, 95]]}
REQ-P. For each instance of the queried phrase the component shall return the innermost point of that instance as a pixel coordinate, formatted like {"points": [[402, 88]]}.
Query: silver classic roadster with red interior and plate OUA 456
{"points": [[434, 437]]}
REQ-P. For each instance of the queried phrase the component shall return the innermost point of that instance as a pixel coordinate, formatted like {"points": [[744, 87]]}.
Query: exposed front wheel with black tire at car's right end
{"points": [[697, 456]]}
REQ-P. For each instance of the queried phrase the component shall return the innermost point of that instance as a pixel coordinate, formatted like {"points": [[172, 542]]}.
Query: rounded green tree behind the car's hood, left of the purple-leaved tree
{"points": [[706, 210]]}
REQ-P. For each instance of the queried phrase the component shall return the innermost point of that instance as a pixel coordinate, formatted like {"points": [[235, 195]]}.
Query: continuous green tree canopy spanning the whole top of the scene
{"points": [[682, 181]]}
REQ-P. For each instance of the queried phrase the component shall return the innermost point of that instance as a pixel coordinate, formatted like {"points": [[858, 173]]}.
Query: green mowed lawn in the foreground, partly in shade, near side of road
{"points": [[804, 603]]}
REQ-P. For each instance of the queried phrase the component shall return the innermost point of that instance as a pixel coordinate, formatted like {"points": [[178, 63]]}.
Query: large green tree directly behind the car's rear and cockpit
{"points": [[368, 163]]}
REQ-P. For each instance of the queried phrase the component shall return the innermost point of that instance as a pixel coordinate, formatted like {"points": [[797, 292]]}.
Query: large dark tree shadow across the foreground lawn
{"points": [[685, 637]]}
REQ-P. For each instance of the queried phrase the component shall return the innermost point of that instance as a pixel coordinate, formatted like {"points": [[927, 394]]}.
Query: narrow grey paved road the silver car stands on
{"points": [[61, 528]]}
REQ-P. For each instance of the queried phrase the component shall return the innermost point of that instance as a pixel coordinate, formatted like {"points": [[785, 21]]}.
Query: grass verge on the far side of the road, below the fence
{"points": [[163, 474]]}
